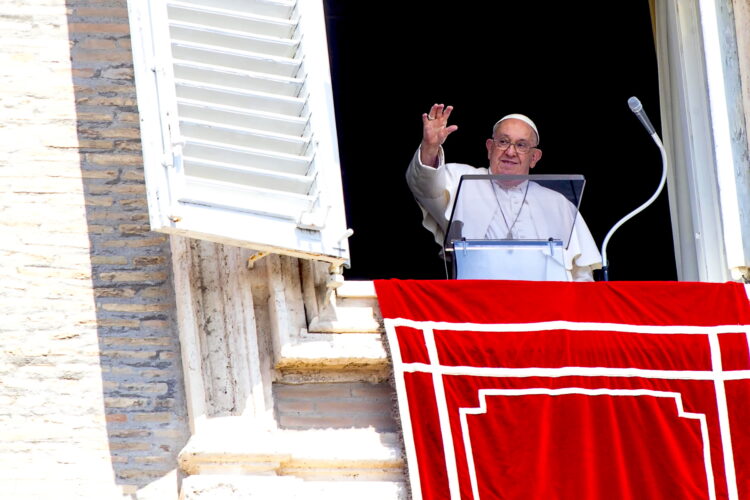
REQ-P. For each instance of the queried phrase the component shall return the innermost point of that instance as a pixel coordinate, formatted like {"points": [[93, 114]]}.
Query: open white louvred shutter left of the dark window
{"points": [[237, 122]]}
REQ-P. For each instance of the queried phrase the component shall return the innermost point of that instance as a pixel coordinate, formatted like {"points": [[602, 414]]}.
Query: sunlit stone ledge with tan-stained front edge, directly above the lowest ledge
{"points": [[230, 445]]}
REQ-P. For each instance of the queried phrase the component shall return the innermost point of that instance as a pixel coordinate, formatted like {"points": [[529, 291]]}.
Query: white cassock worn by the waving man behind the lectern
{"points": [[527, 211]]}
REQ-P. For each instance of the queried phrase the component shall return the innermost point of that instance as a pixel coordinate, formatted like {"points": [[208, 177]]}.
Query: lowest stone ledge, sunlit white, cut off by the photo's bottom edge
{"points": [[220, 487]]}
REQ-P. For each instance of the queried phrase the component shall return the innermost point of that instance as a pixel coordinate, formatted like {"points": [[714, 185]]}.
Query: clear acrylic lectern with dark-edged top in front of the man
{"points": [[512, 227]]}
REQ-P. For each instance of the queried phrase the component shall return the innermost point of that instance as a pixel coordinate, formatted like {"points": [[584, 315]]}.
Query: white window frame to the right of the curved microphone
{"points": [[701, 107]]}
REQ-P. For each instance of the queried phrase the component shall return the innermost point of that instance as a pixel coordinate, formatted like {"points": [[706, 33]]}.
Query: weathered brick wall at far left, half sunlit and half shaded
{"points": [[91, 383]]}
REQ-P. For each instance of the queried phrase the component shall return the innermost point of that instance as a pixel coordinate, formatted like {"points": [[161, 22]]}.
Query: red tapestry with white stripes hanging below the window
{"points": [[547, 390]]}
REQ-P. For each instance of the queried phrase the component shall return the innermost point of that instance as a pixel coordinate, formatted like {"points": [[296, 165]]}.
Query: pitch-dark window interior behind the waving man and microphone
{"points": [[571, 67]]}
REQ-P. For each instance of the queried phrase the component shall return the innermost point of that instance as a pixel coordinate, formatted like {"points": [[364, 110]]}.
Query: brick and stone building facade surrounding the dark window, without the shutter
{"points": [[142, 364]]}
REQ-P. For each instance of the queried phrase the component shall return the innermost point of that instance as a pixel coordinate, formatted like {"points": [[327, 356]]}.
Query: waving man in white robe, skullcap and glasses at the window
{"points": [[523, 211]]}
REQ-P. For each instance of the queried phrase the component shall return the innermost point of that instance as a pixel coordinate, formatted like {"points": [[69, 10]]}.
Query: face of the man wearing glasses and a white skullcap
{"points": [[510, 161]]}
